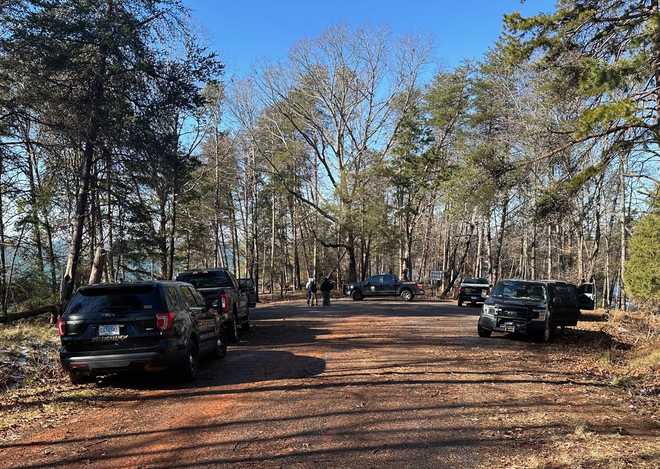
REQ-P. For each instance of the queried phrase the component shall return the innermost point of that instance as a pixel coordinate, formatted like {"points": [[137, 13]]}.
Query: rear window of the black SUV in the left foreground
{"points": [[93, 301]]}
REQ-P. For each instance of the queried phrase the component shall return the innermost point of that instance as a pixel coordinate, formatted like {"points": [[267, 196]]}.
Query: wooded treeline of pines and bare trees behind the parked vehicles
{"points": [[348, 159]]}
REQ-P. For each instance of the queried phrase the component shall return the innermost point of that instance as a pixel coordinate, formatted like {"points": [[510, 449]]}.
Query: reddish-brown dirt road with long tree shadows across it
{"points": [[369, 384]]}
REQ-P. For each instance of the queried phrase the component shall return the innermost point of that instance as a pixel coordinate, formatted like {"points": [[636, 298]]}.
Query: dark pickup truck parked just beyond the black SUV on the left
{"points": [[219, 287]]}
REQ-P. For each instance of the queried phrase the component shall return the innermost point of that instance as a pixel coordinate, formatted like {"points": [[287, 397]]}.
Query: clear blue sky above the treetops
{"points": [[249, 32]]}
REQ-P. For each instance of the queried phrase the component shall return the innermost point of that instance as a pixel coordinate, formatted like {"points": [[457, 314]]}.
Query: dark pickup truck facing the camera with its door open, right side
{"points": [[535, 308]]}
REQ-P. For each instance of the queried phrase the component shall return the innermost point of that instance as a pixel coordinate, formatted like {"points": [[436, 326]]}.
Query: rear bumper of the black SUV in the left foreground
{"points": [[97, 362]]}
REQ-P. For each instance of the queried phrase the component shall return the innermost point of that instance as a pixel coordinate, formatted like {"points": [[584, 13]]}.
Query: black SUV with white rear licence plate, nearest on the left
{"points": [[144, 325]]}
